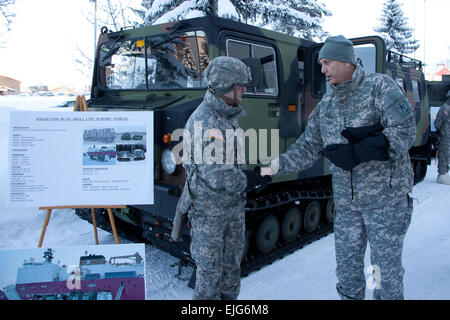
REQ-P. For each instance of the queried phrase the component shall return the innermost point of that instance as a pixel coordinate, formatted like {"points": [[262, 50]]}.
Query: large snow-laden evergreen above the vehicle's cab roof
{"points": [[295, 17]]}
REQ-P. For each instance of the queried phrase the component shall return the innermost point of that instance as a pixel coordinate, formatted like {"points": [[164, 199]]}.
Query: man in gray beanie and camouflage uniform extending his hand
{"points": [[365, 126]]}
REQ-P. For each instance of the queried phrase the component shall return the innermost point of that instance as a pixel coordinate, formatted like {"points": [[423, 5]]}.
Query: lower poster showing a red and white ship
{"points": [[83, 272]]}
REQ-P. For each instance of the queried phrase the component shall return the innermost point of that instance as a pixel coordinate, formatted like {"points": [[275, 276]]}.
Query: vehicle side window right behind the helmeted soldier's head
{"points": [[266, 54]]}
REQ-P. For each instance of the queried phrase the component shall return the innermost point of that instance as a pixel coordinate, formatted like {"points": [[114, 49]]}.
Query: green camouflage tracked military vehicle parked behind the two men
{"points": [[160, 68]]}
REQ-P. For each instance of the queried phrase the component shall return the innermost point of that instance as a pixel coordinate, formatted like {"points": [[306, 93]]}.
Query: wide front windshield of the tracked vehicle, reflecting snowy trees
{"points": [[160, 62]]}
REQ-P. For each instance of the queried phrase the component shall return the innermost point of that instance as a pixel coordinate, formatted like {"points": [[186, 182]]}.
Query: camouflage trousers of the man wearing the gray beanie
{"points": [[384, 229]]}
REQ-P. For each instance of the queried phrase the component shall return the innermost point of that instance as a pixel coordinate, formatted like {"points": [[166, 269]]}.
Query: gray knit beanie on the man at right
{"points": [[338, 48]]}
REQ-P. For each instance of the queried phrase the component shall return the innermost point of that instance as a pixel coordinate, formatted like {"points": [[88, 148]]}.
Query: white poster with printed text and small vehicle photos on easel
{"points": [[80, 158]]}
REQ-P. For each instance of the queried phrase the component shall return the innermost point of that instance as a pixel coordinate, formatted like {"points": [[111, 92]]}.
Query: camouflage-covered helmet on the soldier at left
{"points": [[223, 72]]}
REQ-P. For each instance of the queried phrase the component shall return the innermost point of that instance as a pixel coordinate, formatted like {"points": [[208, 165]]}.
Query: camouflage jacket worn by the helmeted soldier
{"points": [[215, 184]]}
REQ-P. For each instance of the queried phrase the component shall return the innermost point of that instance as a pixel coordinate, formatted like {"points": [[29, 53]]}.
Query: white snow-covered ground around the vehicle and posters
{"points": [[308, 273]]}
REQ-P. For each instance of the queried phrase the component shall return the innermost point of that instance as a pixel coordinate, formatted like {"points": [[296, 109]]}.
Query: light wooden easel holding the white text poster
{"points": [[81, 105]]}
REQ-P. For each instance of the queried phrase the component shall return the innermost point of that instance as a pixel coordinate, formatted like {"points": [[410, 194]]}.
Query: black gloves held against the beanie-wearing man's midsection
{"points": [[348, 156]]}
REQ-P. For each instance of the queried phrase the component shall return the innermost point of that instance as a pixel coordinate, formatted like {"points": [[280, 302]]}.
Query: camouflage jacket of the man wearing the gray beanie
{"points": [[364, 101]]}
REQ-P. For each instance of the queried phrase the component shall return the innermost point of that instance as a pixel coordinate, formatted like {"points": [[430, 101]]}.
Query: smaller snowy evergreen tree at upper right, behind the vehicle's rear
{"points": [[394, 29]]}
